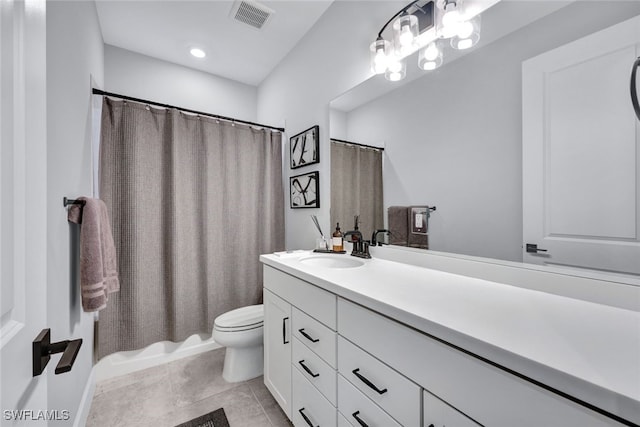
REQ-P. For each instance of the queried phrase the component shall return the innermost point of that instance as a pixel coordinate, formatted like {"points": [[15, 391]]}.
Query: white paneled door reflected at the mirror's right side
{"points": [[581, 175]]}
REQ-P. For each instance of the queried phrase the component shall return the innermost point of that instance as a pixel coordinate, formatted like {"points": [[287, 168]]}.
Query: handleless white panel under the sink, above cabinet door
{"points": [[317, 302]]}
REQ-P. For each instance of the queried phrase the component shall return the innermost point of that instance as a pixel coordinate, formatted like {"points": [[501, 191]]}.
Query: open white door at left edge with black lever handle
{"points": [[23, 169]]}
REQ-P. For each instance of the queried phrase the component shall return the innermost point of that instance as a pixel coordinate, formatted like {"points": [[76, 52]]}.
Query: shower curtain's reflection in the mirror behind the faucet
{"points": [[356, 187]]}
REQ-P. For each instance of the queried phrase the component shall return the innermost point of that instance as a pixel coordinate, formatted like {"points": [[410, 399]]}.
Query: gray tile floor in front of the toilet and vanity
{"points": [[179, 391]]}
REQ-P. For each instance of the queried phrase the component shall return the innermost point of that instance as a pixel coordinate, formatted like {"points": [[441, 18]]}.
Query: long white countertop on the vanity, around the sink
{"points": [[587, 350]]}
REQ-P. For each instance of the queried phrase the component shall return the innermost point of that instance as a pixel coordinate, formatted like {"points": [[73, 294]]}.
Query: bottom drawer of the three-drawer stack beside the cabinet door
{"points": [[310, 408]]}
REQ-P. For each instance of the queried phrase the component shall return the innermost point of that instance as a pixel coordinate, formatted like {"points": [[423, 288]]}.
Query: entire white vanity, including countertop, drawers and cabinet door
{"points": [[344, 350]]}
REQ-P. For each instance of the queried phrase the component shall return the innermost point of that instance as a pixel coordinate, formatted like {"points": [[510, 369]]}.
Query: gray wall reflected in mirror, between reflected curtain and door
{"points": [[453, 138]]}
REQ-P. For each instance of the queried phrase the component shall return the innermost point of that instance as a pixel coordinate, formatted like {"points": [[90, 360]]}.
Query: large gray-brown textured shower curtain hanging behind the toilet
{"points": [[193, 202]]}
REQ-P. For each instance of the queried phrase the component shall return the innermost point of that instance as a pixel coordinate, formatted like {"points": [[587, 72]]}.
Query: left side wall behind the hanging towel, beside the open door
{"points": [[74, 57]]}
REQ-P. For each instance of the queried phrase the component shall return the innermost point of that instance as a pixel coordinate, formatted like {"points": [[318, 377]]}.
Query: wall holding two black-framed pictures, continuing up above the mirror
{"points": [[328, 61]]}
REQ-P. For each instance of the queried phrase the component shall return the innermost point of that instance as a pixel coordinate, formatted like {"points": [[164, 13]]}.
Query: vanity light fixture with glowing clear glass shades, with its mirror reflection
{"points": [[421, 26]]}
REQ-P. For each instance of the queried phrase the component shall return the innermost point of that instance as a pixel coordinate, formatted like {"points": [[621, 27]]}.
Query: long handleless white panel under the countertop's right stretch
{"points": [[489, 395]]}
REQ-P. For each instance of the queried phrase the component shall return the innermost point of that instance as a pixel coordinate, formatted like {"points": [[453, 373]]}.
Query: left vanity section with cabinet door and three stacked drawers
{"points": [[300, 348]]}
